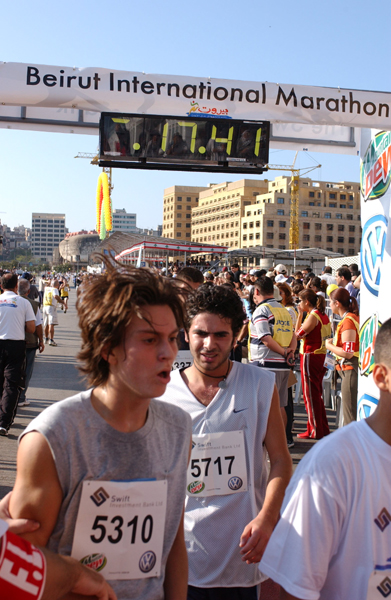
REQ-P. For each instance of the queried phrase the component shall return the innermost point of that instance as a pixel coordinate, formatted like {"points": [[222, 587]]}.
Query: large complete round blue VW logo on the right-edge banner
{"points": [[373, 245]]}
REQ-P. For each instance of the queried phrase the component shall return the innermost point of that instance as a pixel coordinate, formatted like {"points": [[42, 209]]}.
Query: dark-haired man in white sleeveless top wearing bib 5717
{"points": [[231, 509]]}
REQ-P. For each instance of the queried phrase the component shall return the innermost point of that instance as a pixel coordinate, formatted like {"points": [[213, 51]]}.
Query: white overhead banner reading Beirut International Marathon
{"points": [[97, 90]]}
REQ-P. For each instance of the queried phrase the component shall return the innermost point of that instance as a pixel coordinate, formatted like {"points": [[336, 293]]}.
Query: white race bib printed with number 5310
{"points": [[120, 528]]}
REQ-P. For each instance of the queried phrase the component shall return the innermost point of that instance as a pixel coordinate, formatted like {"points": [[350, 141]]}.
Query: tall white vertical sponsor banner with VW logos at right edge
{"points": [[375, 306]]}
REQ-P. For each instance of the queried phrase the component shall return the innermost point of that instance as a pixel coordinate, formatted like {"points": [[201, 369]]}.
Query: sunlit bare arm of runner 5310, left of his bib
{"points": [[37, 493]]}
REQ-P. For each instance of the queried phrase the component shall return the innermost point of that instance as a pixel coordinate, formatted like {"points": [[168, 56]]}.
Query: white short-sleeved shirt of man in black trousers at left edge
{"points": [[15, 311]]}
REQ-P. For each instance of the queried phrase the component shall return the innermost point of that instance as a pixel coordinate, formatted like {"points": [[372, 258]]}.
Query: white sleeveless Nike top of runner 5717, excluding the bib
{"points": [[214, 524]]}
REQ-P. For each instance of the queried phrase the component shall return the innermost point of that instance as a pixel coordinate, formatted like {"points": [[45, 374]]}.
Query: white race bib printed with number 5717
{"points": [[217, 465]]}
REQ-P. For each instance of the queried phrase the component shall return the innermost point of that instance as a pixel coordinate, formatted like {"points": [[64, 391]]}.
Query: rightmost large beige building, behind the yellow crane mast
{"points": [[329, 216]]}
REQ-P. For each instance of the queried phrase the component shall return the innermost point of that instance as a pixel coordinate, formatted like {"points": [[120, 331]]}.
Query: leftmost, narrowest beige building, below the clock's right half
{"points": [[178, 202]]}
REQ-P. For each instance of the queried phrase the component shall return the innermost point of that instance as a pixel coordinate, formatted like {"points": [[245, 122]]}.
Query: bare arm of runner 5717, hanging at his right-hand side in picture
{"points": [[257, 533]]}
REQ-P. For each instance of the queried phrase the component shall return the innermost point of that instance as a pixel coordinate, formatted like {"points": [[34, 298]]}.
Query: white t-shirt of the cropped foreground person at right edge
{"points": [[335, 525]]}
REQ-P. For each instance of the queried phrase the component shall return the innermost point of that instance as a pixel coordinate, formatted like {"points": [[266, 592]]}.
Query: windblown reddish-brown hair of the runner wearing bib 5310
{"points": [[107, 304]]}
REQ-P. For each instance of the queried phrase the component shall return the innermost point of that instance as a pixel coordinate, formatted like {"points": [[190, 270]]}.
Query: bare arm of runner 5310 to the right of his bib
{"points": [[176, 577]]}
